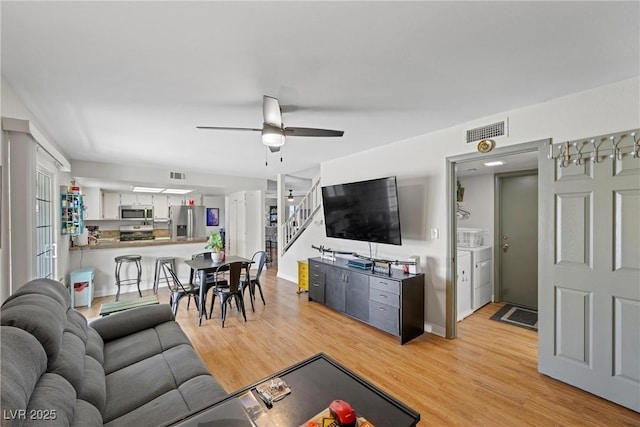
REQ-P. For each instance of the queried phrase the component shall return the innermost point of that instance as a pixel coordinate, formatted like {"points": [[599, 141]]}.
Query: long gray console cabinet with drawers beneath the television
{"points": [[394, 304]]}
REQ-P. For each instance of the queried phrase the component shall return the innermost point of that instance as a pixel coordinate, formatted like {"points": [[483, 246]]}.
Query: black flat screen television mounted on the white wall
{"points": [[364, 210]]}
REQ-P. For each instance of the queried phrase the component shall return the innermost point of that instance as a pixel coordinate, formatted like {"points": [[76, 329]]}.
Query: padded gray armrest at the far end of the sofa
{"points": [[127, 322]]}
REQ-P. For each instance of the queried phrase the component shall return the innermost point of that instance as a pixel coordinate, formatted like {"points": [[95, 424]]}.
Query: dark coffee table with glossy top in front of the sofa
{"points": [[315, 383]]}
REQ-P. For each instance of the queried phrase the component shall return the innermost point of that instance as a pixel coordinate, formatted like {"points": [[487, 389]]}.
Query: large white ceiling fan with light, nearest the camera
{"points": [[274, 131]]}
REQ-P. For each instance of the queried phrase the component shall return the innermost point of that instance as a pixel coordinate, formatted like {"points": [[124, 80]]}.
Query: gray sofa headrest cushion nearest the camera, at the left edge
{"points": [[23, 363]]}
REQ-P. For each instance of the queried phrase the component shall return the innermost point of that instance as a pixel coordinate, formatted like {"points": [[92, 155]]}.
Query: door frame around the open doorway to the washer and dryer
{"points": [[451, 327]]}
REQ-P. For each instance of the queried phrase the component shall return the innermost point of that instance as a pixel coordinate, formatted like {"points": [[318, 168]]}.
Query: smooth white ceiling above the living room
{"points": [[127, 82]]}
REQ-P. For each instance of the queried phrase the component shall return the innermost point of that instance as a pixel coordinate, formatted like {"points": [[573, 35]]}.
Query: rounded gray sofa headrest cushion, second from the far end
{"points": [[41, 316]]}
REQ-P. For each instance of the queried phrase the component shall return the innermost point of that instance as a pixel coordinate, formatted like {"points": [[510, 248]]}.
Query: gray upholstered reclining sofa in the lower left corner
{"points": [[136, 367]]}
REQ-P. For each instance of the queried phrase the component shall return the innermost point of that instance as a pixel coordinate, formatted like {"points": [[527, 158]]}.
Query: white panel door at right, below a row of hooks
{"points": [[589, 271]]}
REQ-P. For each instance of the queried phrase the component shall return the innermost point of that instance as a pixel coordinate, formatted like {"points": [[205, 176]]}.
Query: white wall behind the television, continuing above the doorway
{"points": [[421, 161]]}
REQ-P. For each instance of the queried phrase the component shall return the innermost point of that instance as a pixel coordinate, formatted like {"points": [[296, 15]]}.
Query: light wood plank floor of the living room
{"points": [[486, 377]]}
